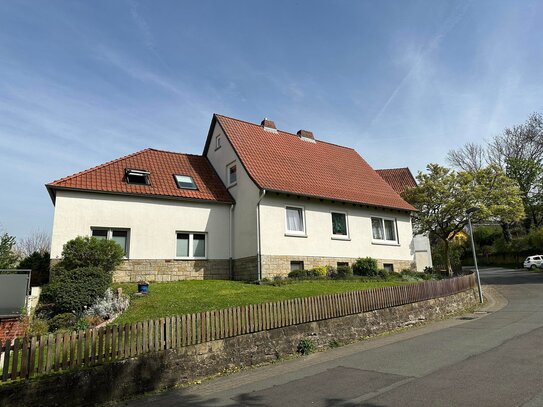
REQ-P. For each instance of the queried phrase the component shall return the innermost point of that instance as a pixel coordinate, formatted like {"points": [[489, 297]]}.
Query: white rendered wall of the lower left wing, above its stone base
{"points": [[153, 223]]}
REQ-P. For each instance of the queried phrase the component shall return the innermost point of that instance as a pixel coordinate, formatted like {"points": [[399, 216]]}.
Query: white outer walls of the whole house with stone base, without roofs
{"points": [[232, 231]]}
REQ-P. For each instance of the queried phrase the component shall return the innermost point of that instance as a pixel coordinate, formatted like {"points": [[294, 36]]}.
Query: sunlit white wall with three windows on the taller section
{"points": [[318, 239]]}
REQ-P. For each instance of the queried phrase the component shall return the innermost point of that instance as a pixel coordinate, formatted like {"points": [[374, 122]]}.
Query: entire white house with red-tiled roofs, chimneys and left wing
{"points": [[257, 203]]}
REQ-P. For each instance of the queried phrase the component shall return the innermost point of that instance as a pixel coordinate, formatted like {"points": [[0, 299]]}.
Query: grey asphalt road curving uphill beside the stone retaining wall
{"points": [[493, 357]]}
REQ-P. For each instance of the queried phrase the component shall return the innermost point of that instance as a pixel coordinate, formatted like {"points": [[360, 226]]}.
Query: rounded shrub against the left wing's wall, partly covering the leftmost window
{"points": [[91, 252]]}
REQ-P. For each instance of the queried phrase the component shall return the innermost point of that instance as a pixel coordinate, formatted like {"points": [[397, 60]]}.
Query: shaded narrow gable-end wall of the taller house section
{"points": [[244, 192]]}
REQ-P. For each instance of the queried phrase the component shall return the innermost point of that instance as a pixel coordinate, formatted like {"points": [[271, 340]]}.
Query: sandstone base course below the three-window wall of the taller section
{"points": [[280, 265]]}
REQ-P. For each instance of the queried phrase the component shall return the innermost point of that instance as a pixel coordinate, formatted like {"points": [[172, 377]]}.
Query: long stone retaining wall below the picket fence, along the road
{"points": [[159, 370]]}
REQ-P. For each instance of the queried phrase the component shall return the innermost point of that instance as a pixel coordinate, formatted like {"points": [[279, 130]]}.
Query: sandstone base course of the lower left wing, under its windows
{"points": [[172, 270]]}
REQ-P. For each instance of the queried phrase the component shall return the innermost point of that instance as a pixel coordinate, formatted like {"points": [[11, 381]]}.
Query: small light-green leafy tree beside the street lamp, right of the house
{"points": [[443, 196]]}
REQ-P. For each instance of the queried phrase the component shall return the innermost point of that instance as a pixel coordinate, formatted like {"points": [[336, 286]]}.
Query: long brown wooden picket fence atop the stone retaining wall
{"points": [[26, 357]]}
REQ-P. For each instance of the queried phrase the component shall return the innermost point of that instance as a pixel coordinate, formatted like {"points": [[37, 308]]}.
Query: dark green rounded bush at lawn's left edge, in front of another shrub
{"points": [[74, 290]]}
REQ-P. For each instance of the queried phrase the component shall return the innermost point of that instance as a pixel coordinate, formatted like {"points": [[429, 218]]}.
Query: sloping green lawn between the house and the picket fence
{"points": [[185, 297]]}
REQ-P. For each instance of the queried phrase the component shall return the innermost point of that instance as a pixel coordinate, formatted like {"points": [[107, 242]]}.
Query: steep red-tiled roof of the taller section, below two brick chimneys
{"points": [[285, 163]]}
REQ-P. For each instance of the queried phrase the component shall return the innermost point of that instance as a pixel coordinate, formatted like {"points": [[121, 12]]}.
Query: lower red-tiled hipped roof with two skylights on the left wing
{"points": [[162, 165]]}
